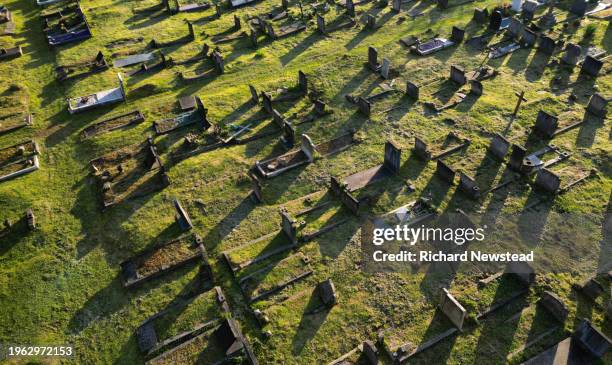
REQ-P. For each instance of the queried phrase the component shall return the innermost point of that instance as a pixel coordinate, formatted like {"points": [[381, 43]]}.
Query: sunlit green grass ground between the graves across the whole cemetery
{"points": [[62, 283]]}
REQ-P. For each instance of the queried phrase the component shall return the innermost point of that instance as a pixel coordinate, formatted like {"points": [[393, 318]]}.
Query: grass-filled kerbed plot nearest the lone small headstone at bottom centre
{"points": [[274, 278]]}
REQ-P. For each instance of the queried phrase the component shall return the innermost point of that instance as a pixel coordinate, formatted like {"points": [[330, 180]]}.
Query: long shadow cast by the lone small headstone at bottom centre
{"points": [[309, 324]]}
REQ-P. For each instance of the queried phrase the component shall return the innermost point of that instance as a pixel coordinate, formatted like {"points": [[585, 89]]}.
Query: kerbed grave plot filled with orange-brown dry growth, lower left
{"points": [[161, 259]]}
